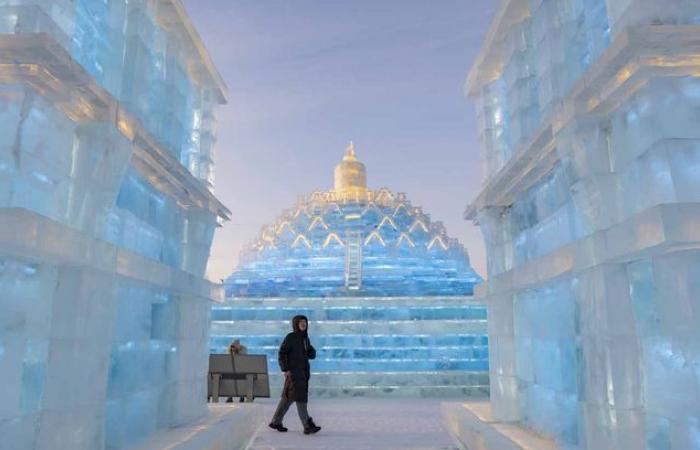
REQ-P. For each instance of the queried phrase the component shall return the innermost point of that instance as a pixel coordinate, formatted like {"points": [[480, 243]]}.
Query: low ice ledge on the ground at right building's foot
{"points": [[472, 426]]}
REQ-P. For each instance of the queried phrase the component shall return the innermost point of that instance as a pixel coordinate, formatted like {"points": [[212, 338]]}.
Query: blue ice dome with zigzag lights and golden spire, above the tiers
{"points": [[353, 241]]}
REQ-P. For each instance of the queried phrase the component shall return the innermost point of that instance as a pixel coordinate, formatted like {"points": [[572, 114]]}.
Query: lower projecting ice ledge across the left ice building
{"points": [[32, 237]]}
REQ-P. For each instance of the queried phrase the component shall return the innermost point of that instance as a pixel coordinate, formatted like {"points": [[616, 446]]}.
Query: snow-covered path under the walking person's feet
{"points": [[360, 424]]}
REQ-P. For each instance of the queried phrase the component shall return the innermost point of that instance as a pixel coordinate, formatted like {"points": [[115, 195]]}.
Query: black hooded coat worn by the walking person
{"points": [[294, 355]]}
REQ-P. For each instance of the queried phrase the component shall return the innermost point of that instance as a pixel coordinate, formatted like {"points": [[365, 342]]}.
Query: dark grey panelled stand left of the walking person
{"points": [[238, 376]]}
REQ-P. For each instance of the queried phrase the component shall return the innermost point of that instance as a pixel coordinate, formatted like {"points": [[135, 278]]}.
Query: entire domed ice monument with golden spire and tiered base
{"points": [[388, 294]]}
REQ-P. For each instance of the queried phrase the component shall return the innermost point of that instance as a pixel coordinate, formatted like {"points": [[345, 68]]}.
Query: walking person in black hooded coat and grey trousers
{"points": [[294, 355]]}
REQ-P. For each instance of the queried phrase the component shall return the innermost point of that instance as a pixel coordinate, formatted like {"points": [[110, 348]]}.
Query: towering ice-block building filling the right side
{"points": [[589, 115]]}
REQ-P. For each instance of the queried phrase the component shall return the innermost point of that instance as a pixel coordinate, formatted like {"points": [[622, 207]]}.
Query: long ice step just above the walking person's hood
{"points": [[426, 312]]}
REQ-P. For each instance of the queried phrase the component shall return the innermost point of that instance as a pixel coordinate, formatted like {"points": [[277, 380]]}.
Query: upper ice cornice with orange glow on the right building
{"points": [[637, 55]]}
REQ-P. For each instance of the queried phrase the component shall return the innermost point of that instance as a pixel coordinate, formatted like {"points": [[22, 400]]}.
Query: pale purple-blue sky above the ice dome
{"points": [[305, 77]]}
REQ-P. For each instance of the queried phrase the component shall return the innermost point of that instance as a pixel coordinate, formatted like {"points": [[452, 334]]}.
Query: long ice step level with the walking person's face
{"points": [[352, 327]]}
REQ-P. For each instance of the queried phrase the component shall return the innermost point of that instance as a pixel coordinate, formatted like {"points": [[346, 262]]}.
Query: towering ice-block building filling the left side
{"points": [[106, 219]]}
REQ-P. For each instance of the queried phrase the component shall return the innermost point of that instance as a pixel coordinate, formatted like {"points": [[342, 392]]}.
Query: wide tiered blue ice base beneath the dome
{"points": [[369, 346]]}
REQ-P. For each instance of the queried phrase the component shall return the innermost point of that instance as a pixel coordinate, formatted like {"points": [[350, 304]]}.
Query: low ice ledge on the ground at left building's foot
{"points": [[226, 427]]}
